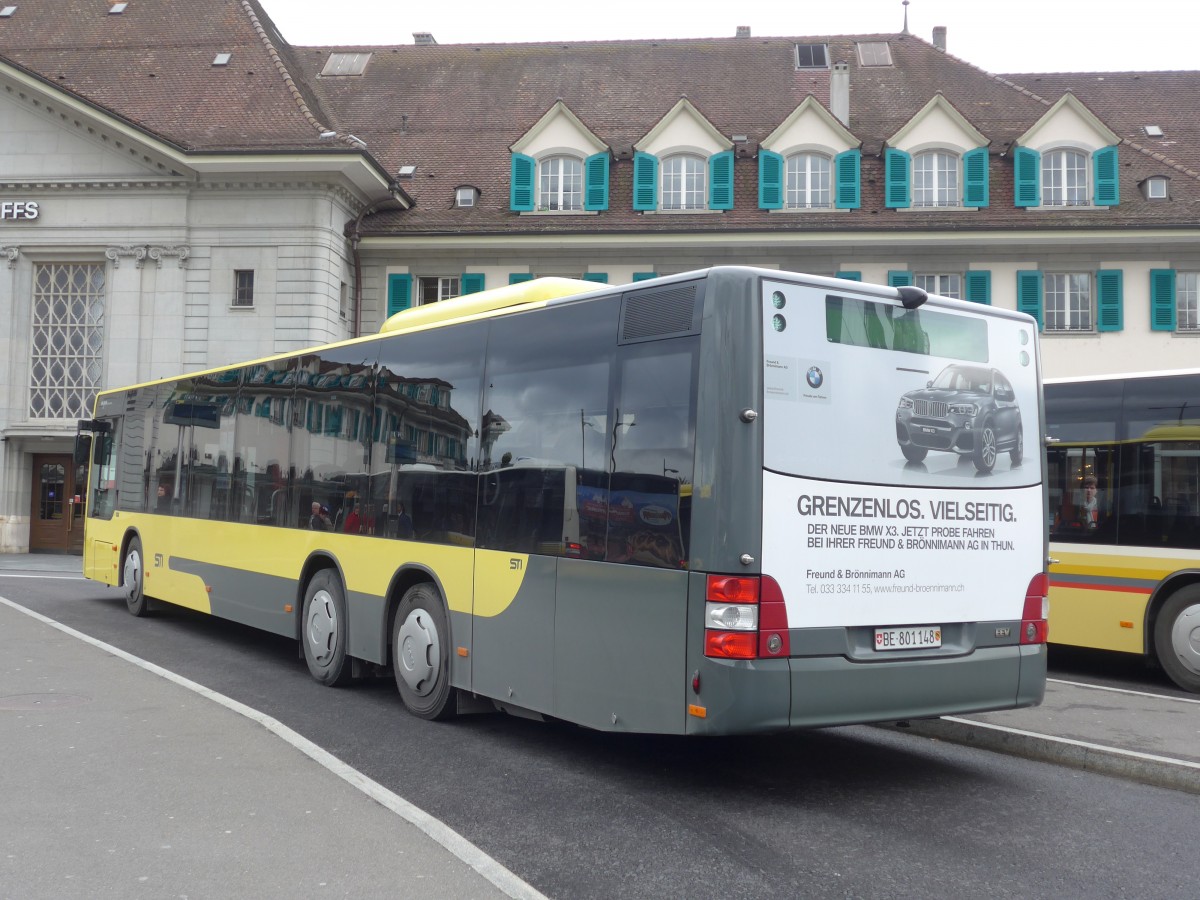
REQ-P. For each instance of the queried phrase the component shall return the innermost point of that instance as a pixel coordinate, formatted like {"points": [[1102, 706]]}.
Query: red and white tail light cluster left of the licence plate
{"points": [[746, 617]]}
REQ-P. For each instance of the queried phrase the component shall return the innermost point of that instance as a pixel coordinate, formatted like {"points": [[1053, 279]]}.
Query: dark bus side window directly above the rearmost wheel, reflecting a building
{"points": [[424, 442]]}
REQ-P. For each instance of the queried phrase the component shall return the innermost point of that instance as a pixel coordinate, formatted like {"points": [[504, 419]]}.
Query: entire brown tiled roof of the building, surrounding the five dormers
{"points": [[454, 110]]}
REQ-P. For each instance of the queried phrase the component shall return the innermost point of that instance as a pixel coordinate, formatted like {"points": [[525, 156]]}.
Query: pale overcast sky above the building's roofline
{"points": [[1015, 37]]}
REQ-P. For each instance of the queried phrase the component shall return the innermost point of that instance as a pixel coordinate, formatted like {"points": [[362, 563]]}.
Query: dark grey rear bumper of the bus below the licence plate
{"points": [[833, 691]]}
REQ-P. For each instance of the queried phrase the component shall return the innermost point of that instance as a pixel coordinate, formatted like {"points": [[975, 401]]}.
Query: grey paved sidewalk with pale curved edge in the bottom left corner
{"points": [[122, 783]]}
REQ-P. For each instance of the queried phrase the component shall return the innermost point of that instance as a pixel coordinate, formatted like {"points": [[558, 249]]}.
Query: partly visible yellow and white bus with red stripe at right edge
{"points": [[1124, 473]]}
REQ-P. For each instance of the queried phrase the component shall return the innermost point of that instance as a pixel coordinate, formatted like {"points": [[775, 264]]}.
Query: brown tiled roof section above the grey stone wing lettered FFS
{"points": [[153, 67]]}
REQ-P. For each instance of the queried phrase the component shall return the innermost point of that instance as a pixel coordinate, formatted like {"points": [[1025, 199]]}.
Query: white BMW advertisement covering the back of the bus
{"points": [[903, 481]]}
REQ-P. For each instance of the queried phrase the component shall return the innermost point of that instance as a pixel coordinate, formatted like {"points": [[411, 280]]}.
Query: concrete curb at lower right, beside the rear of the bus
{"points": [[1145, 769]]}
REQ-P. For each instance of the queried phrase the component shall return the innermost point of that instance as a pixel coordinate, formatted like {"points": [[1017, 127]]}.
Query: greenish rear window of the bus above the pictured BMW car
{"points": [[885, 327]]}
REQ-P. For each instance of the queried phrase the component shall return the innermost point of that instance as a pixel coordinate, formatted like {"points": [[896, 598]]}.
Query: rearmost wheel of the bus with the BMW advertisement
{"points": [[421, 655]]}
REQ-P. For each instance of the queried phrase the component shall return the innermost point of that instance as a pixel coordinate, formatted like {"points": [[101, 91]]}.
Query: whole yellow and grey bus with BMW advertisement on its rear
{"points": [[699, 505]]}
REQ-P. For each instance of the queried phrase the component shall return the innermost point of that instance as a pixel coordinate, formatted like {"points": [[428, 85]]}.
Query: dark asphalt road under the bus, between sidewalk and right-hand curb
{"points": [[856, 812]]}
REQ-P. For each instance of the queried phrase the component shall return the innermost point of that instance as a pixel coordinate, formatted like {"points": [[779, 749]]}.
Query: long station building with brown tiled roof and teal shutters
{"points": [[184, 189]]}
